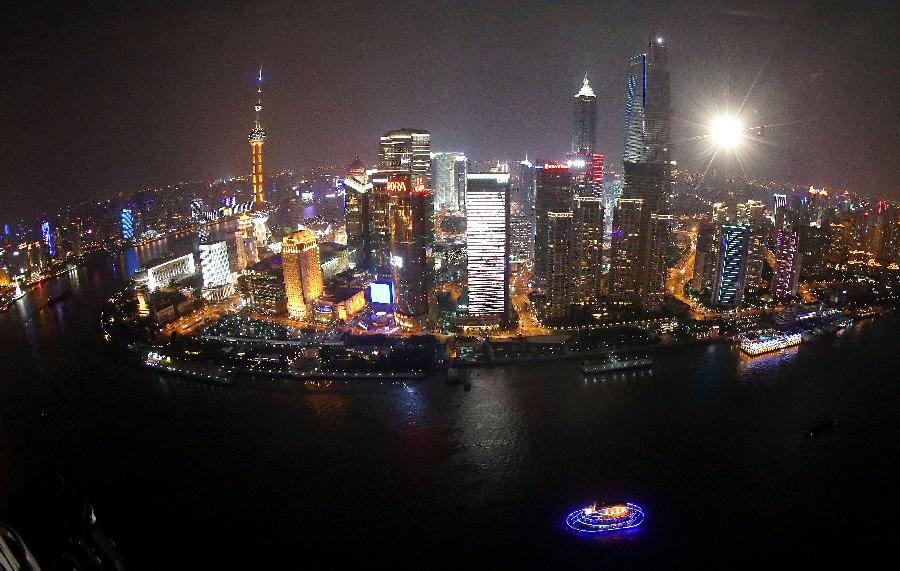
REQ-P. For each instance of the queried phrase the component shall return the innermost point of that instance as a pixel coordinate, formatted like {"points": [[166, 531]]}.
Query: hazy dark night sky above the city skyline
{"points": [[108, 100]]}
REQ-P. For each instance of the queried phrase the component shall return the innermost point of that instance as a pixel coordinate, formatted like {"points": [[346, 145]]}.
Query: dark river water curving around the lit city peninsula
{"points": [[427, 475]]}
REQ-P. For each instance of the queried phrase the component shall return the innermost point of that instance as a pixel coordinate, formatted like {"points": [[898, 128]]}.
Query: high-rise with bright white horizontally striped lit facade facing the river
{"points": [[487, 245]]}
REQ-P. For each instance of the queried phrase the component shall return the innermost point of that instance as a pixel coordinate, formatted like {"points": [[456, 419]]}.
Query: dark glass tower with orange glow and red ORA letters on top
{"points": [[411, 237]]}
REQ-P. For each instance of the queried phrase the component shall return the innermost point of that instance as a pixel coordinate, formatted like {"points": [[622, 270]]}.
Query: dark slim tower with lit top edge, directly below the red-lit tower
{"points": [[587, 235]]}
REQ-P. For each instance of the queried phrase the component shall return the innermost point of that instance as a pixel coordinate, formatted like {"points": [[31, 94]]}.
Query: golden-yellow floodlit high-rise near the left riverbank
{"points": [[303, 283]]}
